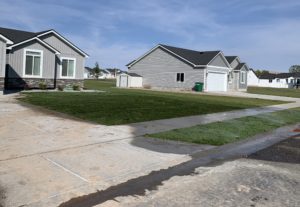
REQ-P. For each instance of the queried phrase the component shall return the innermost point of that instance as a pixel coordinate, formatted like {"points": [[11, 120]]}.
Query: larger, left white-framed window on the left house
{"points": [[33, 61]]}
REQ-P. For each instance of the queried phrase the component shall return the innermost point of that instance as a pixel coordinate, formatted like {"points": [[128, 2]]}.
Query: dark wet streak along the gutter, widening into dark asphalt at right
{"points": [[285, 151]]}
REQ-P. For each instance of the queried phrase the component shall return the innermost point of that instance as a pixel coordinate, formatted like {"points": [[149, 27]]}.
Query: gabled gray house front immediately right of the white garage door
{"points": [[237, 77]]}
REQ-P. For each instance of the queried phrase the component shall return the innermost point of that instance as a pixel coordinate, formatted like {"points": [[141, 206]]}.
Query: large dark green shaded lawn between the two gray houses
{"points": [[122, 106]]}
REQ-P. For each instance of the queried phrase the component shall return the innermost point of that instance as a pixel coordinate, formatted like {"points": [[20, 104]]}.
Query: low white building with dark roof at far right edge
{"points": [[280, 80]]}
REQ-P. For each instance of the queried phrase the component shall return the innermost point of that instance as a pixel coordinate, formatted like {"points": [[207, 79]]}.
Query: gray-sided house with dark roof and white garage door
{"points": [[171, 67]]}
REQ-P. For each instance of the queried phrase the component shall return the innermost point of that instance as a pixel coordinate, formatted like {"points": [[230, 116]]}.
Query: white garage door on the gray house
{"points": [[216, 81]]}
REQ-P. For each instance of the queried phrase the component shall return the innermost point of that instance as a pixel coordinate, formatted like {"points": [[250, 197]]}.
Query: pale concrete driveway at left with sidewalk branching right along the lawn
{"points": [[47, 159]]}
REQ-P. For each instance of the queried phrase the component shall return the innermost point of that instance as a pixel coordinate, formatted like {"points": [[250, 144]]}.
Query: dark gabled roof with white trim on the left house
{"points": [[19, 37]]}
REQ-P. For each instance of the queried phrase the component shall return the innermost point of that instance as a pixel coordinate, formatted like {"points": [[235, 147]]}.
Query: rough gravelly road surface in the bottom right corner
{"points": [[269, 178]]}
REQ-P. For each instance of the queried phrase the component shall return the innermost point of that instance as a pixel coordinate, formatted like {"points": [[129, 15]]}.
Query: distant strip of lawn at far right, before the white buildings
{"points": [[275, 91]]}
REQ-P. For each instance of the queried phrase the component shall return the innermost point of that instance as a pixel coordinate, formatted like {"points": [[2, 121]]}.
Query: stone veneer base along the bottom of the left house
{"points": [[13, 83]]}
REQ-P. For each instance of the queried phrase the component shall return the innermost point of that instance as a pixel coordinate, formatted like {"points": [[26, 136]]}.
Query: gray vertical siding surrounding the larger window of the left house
{"points": [[16, 60]]}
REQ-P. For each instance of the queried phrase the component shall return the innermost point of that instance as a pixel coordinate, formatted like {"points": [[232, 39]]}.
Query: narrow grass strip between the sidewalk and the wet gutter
{"points": [[219, 133]]}
